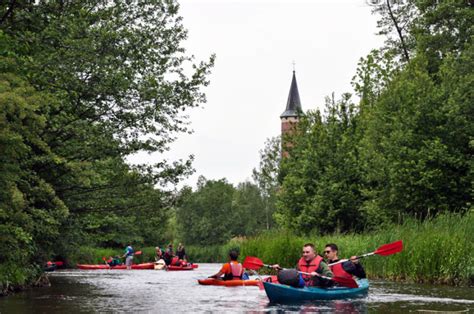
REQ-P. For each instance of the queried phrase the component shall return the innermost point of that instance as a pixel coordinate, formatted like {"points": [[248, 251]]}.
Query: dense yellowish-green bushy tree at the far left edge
{"points": [[30, 211]]}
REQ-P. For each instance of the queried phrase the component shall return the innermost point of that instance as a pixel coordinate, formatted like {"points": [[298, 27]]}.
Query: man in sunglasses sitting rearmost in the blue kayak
{"points": [[346, 269]]}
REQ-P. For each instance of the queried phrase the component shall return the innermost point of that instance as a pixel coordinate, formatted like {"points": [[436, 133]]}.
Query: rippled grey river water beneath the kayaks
{"points": [[88, 291]]}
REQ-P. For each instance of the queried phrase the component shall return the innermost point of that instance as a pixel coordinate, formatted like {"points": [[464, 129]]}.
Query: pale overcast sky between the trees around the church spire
{"points": [[256, 42]]}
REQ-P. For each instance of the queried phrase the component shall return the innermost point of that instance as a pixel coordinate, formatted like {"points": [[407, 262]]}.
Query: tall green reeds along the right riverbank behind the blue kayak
{"points": [[438, 251]]}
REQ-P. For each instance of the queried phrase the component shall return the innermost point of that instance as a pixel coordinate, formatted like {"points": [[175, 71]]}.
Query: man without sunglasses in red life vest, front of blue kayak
{"points": [[313, 264]]}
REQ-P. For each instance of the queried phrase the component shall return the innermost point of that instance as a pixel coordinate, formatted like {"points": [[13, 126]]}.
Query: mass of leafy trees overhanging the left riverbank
{"points": [[84, 85]]}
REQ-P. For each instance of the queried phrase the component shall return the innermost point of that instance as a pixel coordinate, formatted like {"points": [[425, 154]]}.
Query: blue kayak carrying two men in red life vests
{"points": [[278, 293]]}
